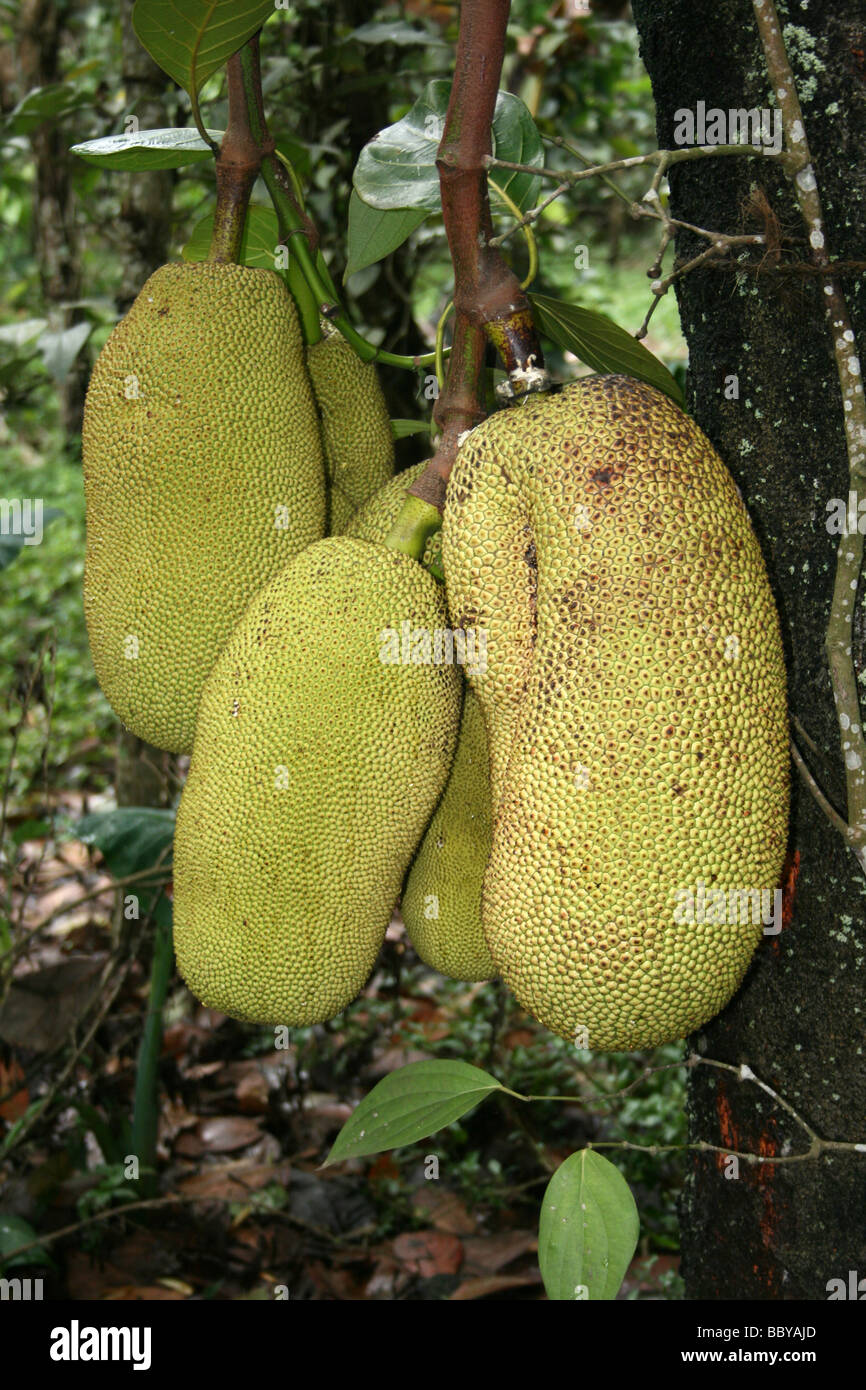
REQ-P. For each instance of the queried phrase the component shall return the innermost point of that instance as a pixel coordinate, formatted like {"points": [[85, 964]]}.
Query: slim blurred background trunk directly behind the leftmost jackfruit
{"points": [[145, 776]]}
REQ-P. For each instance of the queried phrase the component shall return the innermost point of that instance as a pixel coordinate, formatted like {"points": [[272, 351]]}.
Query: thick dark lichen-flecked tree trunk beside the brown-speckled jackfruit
{"points": [[781, 1231]]}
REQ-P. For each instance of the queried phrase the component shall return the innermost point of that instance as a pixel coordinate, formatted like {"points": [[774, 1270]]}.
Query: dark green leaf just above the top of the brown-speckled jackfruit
{"points": [[601, 344]]}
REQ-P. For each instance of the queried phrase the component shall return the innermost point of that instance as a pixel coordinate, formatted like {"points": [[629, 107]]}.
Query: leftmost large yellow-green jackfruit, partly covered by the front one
{"points": [[204, 476]]}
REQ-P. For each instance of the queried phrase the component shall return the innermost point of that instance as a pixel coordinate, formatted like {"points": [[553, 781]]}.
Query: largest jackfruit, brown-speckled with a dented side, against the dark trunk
{"points": [[646, 768]]}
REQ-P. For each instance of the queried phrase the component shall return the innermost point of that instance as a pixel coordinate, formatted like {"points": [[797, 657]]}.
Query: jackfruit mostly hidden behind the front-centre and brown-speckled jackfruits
{"points": [[441, 903]]}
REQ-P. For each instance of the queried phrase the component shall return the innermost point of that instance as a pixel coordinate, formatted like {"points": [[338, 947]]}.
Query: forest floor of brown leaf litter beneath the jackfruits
{"points": [[240, 1206]]}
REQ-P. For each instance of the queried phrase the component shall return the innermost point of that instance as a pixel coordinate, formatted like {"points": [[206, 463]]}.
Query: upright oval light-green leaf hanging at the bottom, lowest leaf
{"points": [[589, 1229]]}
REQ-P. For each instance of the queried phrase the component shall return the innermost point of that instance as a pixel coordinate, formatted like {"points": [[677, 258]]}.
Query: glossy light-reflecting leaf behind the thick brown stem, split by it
{"points": [[398, 167]]}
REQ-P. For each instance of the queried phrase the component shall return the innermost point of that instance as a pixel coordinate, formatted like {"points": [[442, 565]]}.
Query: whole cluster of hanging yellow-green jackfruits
{"points": [[618, 740]]}
